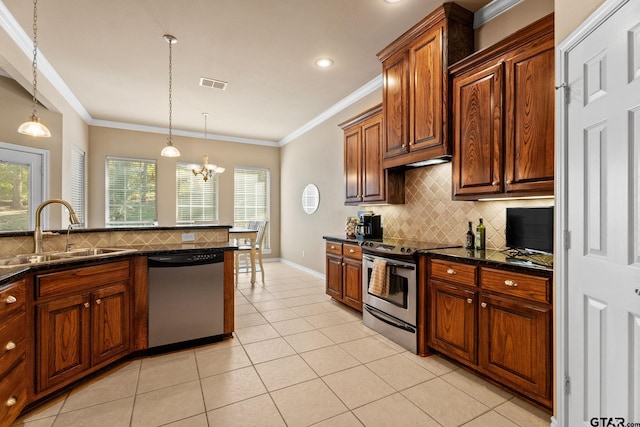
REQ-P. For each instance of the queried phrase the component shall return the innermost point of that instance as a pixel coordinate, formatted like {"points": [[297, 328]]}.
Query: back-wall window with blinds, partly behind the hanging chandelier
{"points": [[197, 200]]}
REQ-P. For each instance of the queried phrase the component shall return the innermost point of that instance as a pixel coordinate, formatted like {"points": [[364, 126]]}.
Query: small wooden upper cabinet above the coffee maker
{"points": [[365, 179]]}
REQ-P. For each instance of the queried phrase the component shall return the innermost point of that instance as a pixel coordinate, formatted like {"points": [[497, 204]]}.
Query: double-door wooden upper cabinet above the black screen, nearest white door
{"points": [[503, 117]]}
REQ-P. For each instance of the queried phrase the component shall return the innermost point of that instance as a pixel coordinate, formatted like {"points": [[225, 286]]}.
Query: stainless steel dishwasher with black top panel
{"points": [[186, 297]]}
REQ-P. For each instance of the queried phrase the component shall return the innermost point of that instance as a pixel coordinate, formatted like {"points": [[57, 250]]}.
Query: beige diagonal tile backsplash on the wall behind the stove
{"points": [[430, 215]]}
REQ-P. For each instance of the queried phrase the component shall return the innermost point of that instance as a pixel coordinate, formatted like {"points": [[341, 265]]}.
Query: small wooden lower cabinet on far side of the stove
{"points": [[344, 273]]}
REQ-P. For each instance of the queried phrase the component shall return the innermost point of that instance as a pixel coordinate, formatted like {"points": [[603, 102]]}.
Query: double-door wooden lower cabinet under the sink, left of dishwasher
{"points": [[84, 326]]}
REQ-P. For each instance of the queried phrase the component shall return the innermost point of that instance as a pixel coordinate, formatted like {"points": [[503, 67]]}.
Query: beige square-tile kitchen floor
{"points": [[297, 359]]}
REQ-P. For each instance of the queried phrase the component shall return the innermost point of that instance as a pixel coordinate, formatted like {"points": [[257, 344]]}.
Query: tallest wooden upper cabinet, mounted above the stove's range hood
{"points": [[415, 77]]}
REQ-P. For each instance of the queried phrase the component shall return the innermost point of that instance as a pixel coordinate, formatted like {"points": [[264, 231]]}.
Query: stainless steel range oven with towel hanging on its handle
{"points": [[393, 313]]}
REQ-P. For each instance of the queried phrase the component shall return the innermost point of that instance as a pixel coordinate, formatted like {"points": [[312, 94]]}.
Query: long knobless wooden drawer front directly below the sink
{"points": [[80, 279]]}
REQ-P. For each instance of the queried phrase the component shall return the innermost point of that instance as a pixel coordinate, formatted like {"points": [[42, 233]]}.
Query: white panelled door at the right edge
{"points": [[602, 215]]}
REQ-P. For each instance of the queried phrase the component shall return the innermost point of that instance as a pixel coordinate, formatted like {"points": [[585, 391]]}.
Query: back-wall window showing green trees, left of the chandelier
{"points": [[131, 192]]}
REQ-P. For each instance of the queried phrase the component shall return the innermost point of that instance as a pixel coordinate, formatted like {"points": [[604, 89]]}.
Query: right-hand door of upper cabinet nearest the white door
{"points": [[530, 97]]}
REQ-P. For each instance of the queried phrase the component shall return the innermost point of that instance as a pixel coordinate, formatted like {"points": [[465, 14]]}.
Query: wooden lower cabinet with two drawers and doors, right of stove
{"points": [[496, 322]]}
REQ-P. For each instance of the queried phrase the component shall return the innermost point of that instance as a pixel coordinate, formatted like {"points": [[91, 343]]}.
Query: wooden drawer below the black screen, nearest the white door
{"points": [[516, 284]]}
